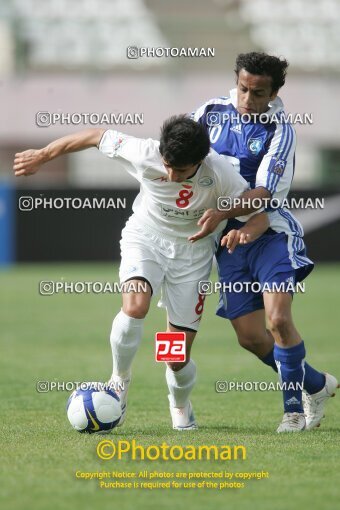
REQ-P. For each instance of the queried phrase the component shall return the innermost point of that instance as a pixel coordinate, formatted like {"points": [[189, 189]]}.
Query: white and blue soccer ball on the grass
{"points": [[94, 408]]}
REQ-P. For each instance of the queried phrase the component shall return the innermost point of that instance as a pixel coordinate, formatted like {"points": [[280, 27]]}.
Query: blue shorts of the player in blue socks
{"points": [[266, 261]]}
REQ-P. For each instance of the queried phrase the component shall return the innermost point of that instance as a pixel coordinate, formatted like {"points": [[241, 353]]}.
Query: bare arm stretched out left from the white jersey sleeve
{"points": [[30, 161]]}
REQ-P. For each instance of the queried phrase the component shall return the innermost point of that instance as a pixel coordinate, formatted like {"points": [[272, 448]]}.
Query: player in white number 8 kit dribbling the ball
{"points": [[180, 178]]}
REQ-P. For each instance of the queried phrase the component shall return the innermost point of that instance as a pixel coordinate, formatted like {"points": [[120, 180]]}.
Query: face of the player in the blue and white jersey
{"points": [[254, 92]]}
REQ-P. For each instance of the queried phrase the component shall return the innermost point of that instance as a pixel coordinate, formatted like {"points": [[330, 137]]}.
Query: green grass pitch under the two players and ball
{"points": [[65, 338]]}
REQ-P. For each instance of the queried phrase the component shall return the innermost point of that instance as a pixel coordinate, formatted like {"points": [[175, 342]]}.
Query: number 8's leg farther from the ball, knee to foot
{"points": [[181, 378]]}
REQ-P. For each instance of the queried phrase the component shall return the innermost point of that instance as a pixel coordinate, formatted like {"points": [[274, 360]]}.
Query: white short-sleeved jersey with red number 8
{"points": [[172, 208]]}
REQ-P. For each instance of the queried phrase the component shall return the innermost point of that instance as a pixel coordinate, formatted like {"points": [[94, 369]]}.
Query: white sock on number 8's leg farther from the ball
{"points": [[180, 384]]}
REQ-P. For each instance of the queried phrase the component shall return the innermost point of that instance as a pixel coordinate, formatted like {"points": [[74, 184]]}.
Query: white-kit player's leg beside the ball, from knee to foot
{"points": [[126, 335]]}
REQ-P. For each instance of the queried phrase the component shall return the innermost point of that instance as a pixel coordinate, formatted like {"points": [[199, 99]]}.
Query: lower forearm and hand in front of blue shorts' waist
{"points": [[253, 229]]}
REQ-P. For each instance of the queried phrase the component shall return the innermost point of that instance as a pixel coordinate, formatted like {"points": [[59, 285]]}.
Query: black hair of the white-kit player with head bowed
{"points": [[183, 141]]}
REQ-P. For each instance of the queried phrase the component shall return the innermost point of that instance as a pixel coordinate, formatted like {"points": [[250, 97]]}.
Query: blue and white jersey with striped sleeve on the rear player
{"points": [[265, 150]]}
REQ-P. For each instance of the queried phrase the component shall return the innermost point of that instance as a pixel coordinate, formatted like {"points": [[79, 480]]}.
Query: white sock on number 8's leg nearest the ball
{"points": [[125, 338]]}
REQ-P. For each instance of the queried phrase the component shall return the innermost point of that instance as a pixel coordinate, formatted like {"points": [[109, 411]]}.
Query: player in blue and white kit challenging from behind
{"points": [[249, 126]]}
